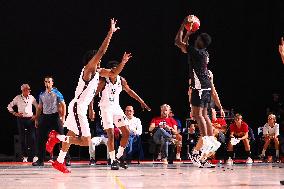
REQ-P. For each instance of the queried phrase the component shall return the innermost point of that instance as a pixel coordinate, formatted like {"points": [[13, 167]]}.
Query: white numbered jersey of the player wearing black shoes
{"points": [[110, 94]]}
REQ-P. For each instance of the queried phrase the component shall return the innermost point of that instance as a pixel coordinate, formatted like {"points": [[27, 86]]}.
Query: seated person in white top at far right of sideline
{"points": [[271, 133]]}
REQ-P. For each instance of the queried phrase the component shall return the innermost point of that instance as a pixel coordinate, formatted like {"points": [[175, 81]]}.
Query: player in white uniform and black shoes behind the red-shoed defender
{"points": [[112, 113]]}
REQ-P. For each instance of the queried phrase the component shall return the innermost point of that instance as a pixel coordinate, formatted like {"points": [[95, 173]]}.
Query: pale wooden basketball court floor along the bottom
{"points": [[144, 175]]}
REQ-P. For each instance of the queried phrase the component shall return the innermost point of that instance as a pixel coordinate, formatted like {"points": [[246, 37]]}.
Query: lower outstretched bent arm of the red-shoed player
{"points": [[115, 71]]}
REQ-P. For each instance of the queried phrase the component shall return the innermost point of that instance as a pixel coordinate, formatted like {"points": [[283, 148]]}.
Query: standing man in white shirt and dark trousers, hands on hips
{"points": [[25, 121]]}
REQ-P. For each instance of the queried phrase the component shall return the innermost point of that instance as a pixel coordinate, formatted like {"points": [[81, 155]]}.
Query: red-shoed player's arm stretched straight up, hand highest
{"points": [[92, 64]]}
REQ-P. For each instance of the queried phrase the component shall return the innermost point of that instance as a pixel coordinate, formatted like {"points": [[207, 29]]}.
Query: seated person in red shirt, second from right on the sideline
{"points": [[239, 132]]}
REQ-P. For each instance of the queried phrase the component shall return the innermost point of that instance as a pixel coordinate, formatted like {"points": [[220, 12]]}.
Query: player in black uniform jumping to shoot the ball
{"points": [[201, 89]]}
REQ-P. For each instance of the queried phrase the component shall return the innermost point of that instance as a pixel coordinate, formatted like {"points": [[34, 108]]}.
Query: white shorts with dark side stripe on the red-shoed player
{"points": [[77, 120]]}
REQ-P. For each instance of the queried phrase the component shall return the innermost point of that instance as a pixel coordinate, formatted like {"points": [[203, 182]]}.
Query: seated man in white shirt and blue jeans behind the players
{"points": [[134, 140]]}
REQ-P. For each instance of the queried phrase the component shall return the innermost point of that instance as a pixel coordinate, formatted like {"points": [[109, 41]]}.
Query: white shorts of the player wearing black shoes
{"points": [[113, 115]]}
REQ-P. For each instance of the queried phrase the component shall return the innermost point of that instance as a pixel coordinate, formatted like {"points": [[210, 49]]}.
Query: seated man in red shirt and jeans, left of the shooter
{"points": [[162, 128]]}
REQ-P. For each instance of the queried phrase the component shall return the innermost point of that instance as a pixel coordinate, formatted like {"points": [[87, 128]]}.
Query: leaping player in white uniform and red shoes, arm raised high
{"points": [[76, 121]]}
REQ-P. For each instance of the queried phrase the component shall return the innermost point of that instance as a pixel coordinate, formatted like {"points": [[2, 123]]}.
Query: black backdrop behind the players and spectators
{"points": [[50, 37]]}
